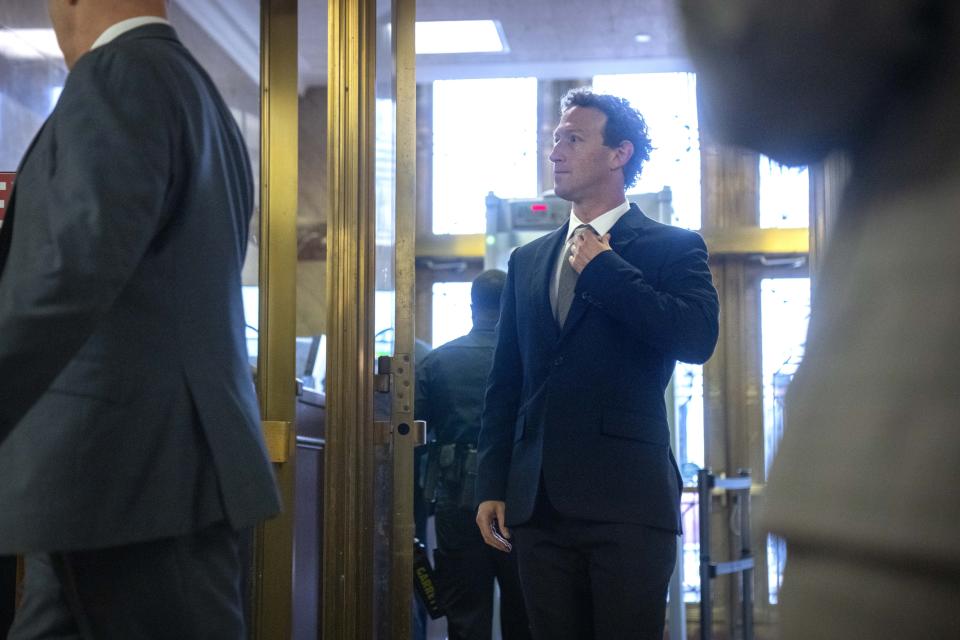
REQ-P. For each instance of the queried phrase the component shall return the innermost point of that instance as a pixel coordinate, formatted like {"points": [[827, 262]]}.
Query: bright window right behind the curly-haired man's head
{"points": [[668, 103]]}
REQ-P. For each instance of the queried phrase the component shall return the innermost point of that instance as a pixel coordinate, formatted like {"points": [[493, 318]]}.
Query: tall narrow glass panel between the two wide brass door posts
{"points": [[311, 314]]}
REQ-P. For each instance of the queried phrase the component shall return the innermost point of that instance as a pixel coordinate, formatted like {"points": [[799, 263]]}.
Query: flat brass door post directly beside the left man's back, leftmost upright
{"points": [[272, 579]]}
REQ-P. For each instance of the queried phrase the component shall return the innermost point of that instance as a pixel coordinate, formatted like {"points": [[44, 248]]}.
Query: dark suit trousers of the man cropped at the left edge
{"points": [[185, 587]]}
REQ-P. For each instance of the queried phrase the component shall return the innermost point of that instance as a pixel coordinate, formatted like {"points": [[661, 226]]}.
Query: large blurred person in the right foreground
{"points": [[865, 488]]}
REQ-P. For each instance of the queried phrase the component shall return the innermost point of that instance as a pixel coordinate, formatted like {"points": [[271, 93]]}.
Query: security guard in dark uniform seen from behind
{"points": [[450, 387]]}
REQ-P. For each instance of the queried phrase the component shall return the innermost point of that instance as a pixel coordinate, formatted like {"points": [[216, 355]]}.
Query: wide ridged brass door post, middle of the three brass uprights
{"points": [[348, 482]]}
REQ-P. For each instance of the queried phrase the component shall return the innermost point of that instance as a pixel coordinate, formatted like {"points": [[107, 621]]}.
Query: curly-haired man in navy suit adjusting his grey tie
{"points": [[575, 455]]}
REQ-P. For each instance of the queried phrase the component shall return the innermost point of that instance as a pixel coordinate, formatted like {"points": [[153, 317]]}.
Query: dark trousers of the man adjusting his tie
{"points": [[583, 579]]}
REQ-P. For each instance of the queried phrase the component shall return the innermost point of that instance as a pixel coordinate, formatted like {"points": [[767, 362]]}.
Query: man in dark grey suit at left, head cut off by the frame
{"points": [[131, 457]]}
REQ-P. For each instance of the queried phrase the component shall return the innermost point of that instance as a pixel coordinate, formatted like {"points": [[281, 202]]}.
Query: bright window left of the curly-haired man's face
{"points": [[484, 139]]}
